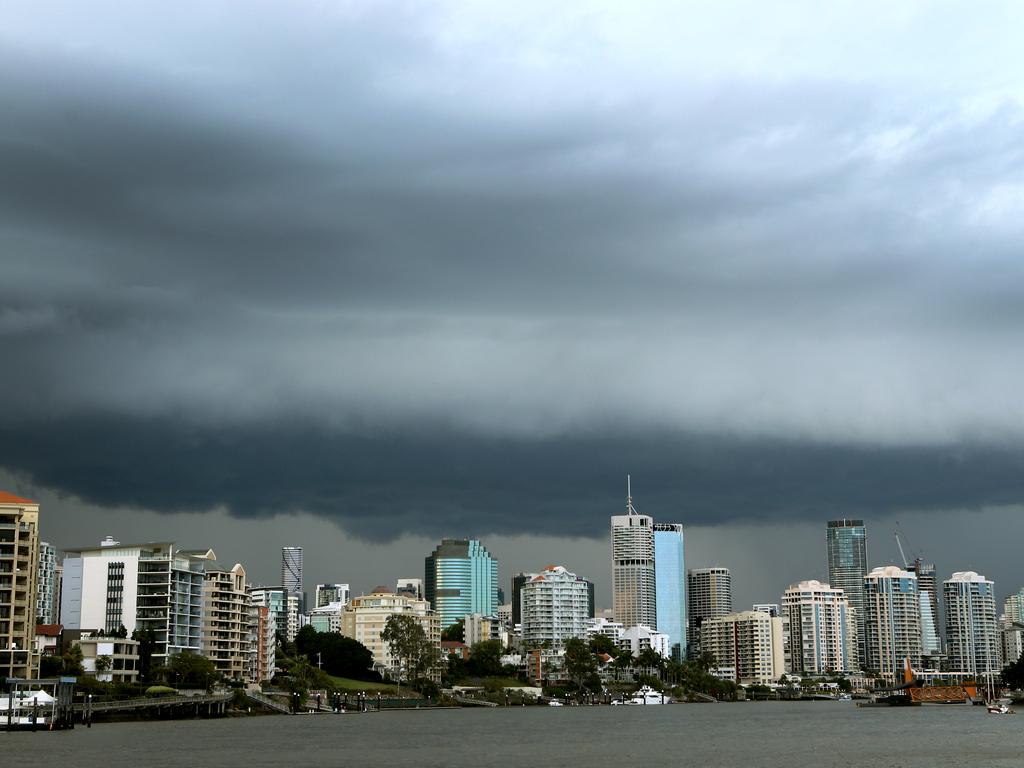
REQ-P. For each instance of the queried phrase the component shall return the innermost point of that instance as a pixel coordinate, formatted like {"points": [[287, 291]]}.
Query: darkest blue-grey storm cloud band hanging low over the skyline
{"points": [[380, 486]]}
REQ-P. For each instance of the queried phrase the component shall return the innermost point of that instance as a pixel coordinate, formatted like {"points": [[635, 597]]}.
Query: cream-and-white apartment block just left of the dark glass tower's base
{"points": [[821, 628]]}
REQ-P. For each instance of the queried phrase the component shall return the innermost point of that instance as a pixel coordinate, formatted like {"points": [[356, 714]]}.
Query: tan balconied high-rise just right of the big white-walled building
{"points": [[227, 619]]}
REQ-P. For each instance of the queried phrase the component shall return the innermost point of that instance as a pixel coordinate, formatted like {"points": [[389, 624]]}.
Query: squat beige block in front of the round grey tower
{"points": [[749, 644]]}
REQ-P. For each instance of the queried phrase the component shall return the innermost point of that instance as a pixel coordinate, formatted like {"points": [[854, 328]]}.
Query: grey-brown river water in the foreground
{"points": [[773, 734]]}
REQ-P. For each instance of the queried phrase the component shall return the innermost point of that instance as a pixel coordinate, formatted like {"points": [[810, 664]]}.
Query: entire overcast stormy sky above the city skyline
{"points": [[356, 277]]}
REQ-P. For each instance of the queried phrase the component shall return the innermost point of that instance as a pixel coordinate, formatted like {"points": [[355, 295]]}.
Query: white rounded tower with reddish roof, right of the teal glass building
{"points": [[554, 608]]}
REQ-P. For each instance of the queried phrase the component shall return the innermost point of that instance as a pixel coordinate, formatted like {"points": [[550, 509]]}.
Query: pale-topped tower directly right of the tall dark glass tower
{"points": [[892, 624]]}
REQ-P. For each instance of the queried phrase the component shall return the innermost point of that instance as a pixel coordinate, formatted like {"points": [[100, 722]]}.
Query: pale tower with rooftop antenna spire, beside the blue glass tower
{"points": [[634, 592]]}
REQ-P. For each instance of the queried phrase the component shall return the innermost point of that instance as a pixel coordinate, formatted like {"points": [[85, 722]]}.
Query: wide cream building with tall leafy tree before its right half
{"points": [[366, 617]]}
